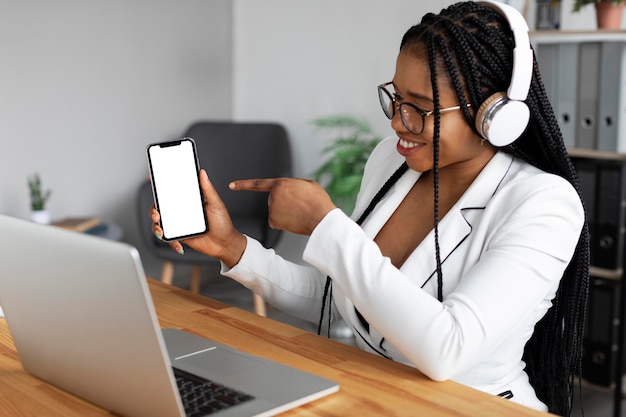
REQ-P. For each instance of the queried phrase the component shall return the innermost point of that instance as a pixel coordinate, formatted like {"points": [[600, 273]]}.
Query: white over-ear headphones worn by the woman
{"points": [[503, 116]]}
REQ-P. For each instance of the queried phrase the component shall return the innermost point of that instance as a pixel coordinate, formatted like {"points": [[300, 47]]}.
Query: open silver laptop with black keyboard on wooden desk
{"points": [[82, 318]]}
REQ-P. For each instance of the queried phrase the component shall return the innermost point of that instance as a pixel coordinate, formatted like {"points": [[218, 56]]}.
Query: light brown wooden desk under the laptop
{"points": [[370, 385]]}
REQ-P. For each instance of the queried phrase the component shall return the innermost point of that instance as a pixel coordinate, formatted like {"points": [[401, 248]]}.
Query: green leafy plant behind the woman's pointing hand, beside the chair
{"points": [[342, 171]]}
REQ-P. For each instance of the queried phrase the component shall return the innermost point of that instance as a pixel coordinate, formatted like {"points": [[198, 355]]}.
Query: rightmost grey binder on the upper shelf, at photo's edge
{"points": [[610, 110]]}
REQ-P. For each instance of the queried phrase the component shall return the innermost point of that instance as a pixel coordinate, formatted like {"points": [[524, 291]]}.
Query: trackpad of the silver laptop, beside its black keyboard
{"points": [[219, 361]]}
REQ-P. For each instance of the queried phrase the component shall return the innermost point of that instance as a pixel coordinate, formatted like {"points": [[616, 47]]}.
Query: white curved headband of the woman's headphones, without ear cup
{"points": [[522, 53]]}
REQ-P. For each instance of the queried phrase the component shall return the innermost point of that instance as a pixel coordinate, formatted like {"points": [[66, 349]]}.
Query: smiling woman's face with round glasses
{"points": [[459, 146]]}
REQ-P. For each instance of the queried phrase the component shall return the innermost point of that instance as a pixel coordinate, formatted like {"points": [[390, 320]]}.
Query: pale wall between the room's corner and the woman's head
{"points": [[295, 61]]}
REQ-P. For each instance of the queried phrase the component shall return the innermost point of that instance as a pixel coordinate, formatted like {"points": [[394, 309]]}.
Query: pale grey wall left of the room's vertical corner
{"points": [[85, 85]]}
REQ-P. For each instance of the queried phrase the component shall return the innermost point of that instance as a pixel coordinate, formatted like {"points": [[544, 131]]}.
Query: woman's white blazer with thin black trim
{"points": [[504, 247]]}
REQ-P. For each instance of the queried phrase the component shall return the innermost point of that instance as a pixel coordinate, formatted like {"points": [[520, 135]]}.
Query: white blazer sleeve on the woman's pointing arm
{"points": [[530, 236]]}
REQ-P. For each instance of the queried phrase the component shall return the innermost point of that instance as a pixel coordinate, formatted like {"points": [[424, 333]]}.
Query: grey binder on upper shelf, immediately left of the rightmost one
{"points": [[588, 90]]}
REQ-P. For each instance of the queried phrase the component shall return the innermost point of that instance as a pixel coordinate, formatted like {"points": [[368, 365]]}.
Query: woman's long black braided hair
{"points": [[471, 45]]}
